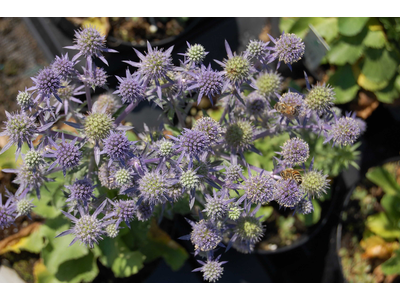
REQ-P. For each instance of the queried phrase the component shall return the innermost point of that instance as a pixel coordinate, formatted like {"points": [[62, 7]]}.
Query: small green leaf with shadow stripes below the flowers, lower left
{"points": [[127, 264]]}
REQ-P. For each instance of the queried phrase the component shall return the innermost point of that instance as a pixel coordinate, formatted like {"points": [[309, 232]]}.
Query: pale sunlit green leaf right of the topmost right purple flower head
{"points": [[347, 50]]}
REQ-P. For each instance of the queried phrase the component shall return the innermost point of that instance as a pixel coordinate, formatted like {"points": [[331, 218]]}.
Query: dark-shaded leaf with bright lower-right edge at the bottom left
{"points": [[83, 269]]}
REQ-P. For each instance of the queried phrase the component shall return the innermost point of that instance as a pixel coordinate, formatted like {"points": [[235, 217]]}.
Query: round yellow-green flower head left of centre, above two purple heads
{"points": [[98, 126]]}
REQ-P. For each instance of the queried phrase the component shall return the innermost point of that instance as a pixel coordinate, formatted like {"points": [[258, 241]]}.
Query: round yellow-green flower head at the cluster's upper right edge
{"points": [[320, 98]]}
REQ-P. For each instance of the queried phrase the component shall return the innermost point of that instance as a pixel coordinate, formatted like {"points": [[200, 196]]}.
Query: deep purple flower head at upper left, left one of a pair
{"points": [[47, 83]]}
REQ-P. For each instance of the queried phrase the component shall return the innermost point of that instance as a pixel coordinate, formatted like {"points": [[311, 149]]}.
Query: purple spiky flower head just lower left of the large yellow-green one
{"points": [[67, 155]]}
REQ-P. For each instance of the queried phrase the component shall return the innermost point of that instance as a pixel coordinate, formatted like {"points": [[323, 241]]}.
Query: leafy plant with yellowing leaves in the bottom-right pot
{"points": [[370, 240]]}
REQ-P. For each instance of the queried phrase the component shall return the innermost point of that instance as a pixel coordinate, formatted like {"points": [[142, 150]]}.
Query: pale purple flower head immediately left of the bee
{"points": [[259, 189]]}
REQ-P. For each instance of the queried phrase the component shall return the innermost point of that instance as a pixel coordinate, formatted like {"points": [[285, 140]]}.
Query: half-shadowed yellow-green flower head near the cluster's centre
{"points": [[239, 136]]}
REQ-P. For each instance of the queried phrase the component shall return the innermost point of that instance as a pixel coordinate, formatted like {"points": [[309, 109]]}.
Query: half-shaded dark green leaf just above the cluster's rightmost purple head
{"points": [[344, 83]]}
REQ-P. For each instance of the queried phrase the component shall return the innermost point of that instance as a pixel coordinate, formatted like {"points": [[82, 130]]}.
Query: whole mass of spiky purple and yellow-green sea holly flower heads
{"points": [[204, 164]]}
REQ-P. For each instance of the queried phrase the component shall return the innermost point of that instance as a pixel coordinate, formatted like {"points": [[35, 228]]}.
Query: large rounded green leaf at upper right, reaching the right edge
{"points": [[379, 65]]}
